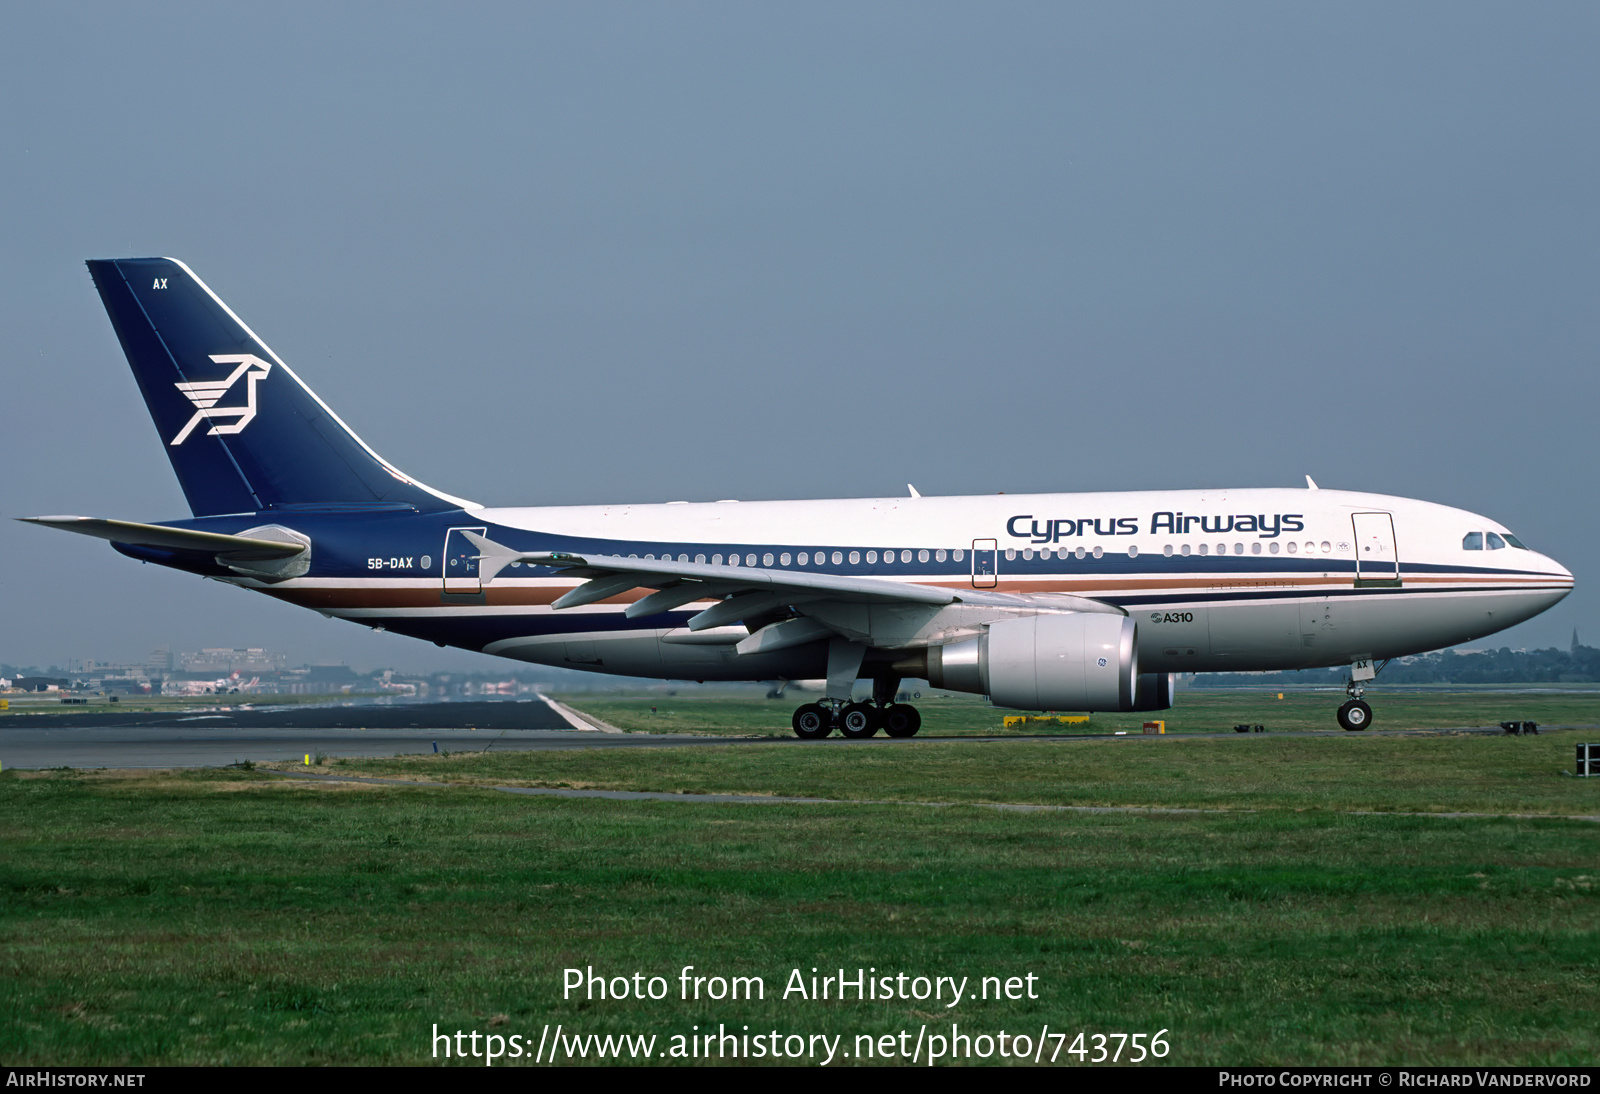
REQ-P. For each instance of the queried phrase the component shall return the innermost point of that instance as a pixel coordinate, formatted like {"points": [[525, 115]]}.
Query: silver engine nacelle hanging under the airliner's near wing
{"points": [[1068, 661]]}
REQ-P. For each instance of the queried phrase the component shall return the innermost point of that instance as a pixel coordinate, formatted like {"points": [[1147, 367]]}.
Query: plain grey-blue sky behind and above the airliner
{"points": [[586, 254]]}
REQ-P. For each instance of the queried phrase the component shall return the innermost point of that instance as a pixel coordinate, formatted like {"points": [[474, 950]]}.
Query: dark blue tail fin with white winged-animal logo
{"points": [[242, 431]]}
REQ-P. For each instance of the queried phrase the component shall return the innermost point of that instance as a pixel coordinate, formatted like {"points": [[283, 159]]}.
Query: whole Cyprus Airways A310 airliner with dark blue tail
{"points": [[1041, 602]]}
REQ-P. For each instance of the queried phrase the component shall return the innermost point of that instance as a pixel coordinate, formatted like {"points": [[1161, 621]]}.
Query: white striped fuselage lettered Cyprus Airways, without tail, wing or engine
{"points": [[1226, 580]]}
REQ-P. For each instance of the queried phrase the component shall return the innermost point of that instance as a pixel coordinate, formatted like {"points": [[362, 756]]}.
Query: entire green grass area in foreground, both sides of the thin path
{"points": [[238, 917]]}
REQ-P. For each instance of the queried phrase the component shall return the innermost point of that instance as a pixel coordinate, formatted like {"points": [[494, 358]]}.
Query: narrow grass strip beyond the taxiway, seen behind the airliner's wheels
{"points": [[1198, 711]]}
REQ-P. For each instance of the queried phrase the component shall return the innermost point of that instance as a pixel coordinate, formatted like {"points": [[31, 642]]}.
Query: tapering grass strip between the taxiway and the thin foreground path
{"points": [[1452, 773]]}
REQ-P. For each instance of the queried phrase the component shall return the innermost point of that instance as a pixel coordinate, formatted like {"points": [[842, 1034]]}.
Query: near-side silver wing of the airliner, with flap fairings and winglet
{"points": [[746, 593]]}
